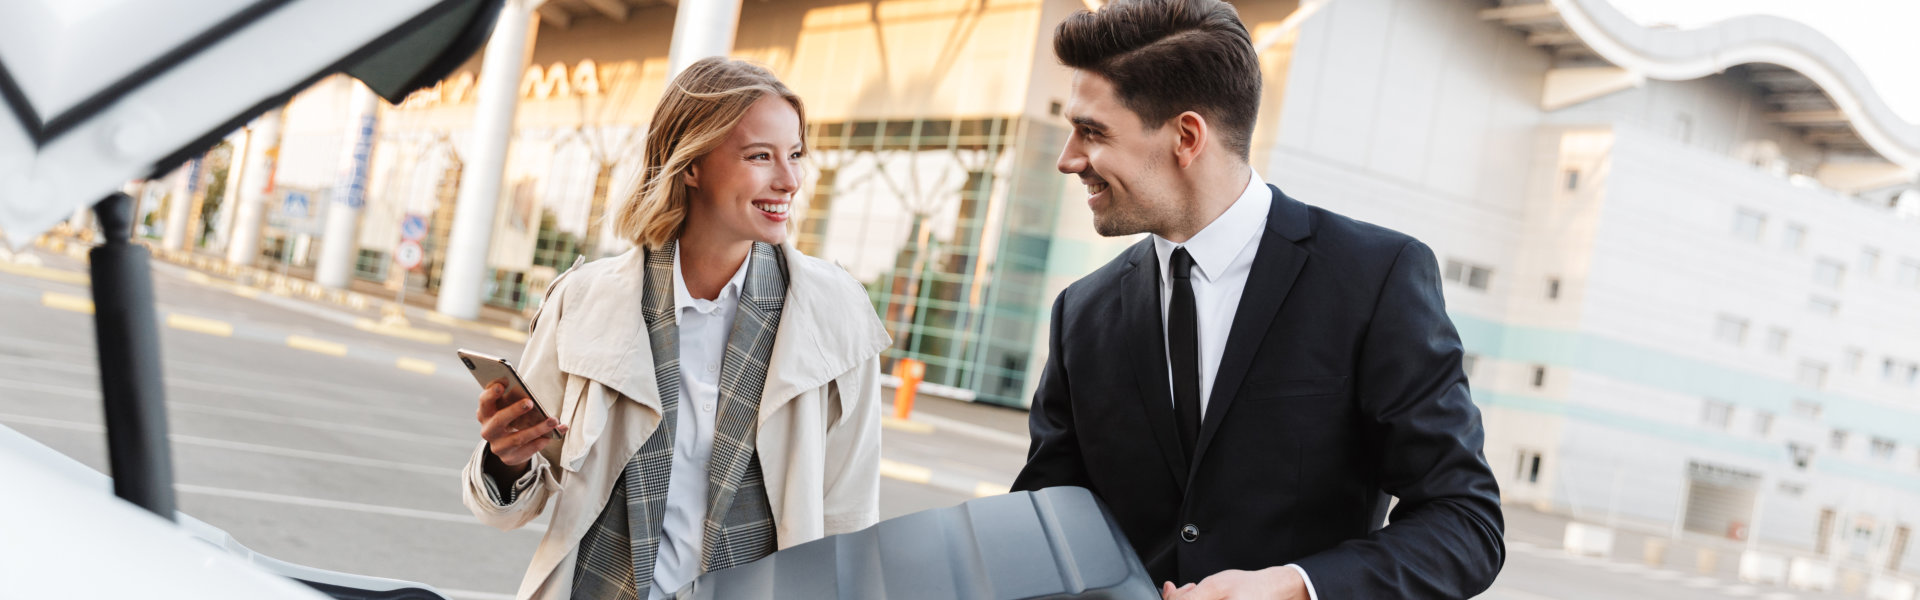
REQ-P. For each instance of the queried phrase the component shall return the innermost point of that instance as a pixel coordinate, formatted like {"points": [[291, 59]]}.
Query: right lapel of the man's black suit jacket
{"points": [[1276, 268]]}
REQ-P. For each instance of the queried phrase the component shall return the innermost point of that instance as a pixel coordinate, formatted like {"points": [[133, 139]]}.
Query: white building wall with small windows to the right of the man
{"points": [[1424, 118]]}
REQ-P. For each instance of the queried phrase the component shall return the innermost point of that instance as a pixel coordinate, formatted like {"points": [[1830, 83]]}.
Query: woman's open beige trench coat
{"points": [[590, 362]]}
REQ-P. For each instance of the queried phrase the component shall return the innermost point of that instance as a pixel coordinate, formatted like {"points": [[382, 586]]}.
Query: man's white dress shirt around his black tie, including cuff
{"points": [[1224, 255]]}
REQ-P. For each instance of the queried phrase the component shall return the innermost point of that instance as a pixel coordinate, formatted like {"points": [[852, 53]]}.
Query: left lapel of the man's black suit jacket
{"points": [[1140, 307]]}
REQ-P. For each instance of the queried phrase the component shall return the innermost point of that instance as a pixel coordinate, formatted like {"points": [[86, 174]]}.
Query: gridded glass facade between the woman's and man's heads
{"points": [[936, 220]]}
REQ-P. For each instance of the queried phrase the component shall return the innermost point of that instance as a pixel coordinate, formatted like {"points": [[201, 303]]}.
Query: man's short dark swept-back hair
{"points": [[1170, 57]]}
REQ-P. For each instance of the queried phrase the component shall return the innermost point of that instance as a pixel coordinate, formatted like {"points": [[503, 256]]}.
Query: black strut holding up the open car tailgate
{"points": [[128, 336]]}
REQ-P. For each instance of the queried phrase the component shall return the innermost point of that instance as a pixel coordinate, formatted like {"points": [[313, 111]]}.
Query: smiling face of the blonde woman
{"points": [[742, 191]]}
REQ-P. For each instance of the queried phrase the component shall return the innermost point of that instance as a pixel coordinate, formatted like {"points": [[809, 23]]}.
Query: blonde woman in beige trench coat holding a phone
{"points": [[717, 393]]}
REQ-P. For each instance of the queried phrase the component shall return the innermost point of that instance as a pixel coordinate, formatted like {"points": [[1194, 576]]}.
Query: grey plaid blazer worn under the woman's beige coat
{"points": [[619, 551]]}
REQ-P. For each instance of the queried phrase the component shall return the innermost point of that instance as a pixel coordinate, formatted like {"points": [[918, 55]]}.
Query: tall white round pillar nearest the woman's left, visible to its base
{"points": [[464, 278]]}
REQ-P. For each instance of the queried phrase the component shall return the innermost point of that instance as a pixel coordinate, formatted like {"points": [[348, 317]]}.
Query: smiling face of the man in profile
{"points": [[1122, 162]]}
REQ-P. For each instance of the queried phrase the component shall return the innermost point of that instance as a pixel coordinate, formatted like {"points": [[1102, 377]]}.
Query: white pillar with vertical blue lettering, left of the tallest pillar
{"points": [[350, 191]]}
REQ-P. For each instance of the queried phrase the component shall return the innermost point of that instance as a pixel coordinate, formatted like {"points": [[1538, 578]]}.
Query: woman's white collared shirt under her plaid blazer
{"points": [[704, 330]]}
